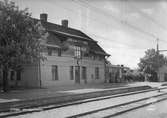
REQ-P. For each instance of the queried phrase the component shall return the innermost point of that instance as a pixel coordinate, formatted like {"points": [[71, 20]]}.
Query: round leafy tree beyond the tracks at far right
{"points": [[150, 63]]}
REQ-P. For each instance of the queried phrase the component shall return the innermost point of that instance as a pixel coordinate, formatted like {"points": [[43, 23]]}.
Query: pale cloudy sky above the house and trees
{"points": [[125, 29]]}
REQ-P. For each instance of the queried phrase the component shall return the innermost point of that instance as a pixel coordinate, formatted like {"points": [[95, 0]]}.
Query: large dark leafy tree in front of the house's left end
{"points": [[19, 39]]}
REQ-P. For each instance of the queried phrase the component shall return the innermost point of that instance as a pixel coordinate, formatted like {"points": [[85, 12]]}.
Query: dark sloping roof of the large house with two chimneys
{"points": [[73, 33]]}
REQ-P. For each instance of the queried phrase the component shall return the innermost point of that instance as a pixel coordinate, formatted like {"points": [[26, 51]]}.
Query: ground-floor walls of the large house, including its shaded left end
{"points": [[30, 75]]}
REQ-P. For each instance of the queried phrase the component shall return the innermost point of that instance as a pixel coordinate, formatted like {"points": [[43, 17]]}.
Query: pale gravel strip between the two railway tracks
{"points": [[75, 109]]}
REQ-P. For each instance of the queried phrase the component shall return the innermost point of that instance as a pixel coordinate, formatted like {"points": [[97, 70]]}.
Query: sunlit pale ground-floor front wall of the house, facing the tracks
{"points": [[64, 63]]}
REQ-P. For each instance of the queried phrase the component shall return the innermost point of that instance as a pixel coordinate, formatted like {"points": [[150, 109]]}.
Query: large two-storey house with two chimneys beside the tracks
{"points": [[71, 57]]}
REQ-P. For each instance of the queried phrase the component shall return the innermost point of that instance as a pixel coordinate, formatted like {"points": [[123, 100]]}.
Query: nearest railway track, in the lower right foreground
{"points": [[112, 111]]}
